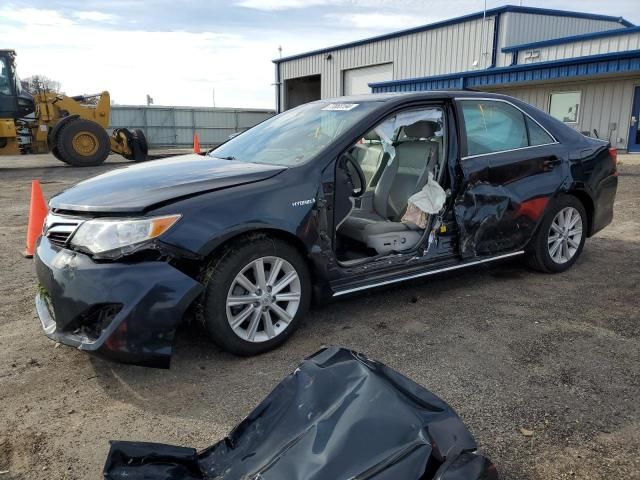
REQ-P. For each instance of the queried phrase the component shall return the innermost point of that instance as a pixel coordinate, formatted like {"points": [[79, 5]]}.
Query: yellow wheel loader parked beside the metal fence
{"points": [[72, 128]]}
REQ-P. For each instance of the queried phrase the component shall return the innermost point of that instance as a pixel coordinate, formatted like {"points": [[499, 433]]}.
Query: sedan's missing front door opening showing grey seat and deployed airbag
{"points": [[401, 158]]}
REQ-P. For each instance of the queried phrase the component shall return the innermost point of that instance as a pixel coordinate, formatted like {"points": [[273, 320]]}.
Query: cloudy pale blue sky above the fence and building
{"points": [[180, 52]]}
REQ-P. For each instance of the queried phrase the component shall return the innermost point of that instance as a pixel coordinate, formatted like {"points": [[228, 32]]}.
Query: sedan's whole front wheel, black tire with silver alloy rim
{"points": [[258, 291]]}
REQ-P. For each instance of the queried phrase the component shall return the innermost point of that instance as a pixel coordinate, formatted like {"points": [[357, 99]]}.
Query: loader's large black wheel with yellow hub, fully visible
{"points": [[72, 147]]}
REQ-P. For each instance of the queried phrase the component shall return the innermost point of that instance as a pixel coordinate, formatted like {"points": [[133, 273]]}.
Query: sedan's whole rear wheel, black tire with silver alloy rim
{"points": [[560, 237]]}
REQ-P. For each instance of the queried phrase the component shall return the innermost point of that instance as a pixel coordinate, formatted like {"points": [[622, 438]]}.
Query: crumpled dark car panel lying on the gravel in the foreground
{"points": [[339, 415]]}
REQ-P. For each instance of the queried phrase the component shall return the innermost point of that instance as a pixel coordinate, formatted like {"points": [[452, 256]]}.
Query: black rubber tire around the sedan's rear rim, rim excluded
{"points": [[538, 255]]}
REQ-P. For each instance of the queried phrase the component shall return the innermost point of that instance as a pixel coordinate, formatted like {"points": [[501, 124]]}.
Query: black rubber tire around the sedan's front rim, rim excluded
{"points": [[222, 272]]}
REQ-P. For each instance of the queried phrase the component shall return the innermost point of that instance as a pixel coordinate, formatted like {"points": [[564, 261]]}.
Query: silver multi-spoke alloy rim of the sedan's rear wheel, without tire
{"points": [[565, 235]]}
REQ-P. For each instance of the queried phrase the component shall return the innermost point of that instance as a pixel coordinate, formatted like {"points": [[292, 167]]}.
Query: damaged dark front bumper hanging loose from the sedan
{"points": [[126, 312]]}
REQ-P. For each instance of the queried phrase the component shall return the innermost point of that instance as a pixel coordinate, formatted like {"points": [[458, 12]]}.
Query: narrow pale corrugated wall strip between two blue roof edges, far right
{"points": [[595, 46]]}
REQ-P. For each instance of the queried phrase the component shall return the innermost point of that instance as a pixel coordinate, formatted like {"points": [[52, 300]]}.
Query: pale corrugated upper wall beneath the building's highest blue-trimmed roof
{"points": [[447, 49]]}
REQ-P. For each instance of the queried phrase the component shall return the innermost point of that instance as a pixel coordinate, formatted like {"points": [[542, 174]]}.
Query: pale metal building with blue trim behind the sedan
{"points": [[582, 68]]}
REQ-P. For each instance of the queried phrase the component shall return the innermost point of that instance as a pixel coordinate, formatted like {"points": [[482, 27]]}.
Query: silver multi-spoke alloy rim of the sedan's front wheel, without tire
{"points": [[263, 299]]}
